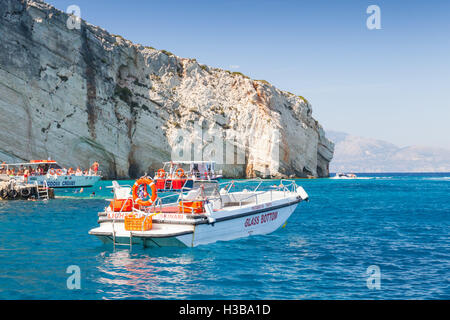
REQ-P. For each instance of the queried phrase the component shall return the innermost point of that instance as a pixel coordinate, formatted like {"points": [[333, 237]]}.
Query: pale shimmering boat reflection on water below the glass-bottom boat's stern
{"points": [[139, 276]]}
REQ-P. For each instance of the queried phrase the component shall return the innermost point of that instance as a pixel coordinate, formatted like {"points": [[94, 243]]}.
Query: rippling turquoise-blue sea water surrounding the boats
{"points": [[398, 222]]}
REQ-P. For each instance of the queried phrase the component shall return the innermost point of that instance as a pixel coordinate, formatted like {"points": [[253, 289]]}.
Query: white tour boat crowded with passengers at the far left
{"points": [[49, 173]]}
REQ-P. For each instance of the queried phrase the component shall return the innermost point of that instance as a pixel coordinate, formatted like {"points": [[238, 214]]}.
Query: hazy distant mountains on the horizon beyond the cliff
{"points": [[358, 154]]}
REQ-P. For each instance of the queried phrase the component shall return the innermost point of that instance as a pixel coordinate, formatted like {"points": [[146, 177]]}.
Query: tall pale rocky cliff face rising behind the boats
{"points": [[84, 95]]}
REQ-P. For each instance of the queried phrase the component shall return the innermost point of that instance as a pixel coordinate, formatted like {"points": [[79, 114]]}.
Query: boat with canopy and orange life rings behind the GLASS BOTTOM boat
{"points": [[181, 175]]}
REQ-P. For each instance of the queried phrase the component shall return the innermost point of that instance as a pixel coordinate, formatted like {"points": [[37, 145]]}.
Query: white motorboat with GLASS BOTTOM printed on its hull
{"points": [[202, 215]]}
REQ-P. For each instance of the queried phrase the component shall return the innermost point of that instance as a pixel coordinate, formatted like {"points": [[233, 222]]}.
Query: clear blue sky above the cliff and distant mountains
{"points": [[391, 84]]}
